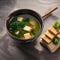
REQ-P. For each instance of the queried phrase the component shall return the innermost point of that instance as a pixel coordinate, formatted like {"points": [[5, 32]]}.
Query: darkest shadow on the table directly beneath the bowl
{"points": [[29, 48]]}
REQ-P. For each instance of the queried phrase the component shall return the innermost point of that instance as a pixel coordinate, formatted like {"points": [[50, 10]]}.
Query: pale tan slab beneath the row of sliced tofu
{"points": [[51, 46]]}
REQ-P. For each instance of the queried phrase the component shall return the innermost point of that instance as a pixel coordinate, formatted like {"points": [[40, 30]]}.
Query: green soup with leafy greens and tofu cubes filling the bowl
{"points": [[24, 26]]}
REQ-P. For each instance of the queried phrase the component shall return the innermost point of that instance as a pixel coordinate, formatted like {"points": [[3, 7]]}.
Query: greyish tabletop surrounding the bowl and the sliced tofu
{"points": [[9, 49]]}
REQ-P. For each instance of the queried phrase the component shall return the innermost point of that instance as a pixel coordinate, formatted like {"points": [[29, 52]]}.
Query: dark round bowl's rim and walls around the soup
{"points": [[24, 11]]}
